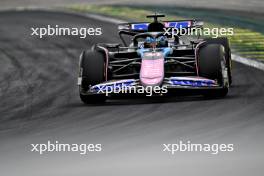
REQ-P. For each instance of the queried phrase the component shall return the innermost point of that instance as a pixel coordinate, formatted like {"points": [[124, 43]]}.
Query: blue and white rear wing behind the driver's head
{"points": [[143, 26]]}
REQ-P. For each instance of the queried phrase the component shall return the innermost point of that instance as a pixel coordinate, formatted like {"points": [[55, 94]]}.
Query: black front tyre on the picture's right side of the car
{"points": [[210, 58]]}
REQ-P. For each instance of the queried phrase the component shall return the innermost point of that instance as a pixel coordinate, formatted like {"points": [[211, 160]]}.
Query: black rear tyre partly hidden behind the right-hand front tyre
{"points": [[224, 41]]}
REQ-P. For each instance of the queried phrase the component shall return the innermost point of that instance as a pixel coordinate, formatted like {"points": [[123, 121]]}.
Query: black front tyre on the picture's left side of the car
{"points": [[92, 65]]}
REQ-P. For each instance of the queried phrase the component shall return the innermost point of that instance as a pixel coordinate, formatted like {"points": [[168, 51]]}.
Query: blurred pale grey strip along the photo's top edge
{"points": [[244, 5]]}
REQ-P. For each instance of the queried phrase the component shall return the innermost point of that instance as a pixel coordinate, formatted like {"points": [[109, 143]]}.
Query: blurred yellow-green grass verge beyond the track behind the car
{"points": [[246, 42]]}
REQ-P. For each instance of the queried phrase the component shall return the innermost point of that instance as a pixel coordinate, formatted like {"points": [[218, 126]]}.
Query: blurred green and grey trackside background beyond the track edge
{"points": [[246, 16]]}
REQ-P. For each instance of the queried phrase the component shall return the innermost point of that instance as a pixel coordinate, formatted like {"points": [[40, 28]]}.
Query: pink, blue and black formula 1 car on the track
{"points": [[156, 58]]}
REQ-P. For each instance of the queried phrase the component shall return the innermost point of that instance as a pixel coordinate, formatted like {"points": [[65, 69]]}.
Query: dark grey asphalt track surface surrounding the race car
{"points": [[39, 102]]}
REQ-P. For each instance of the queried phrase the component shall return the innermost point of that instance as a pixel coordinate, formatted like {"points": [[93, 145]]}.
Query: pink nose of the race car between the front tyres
{"points": [[152, 71]]}
